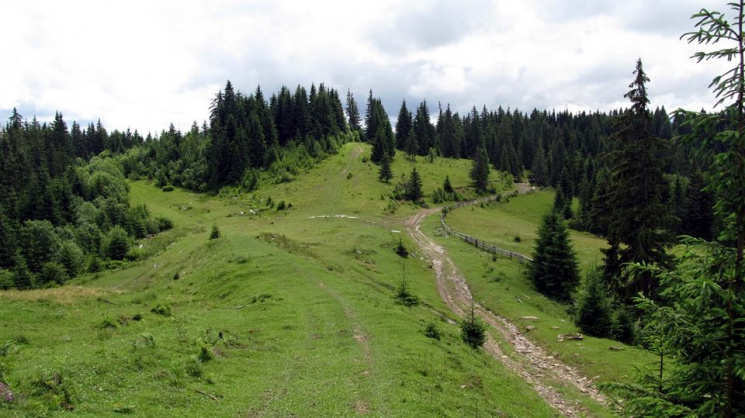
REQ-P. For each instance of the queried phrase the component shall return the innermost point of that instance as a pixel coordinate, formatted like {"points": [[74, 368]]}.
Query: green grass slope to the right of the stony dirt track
{"points": [[500, 284]]}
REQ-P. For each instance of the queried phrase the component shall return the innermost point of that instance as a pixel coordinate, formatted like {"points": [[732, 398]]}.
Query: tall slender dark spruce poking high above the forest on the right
{"points": [[638, 218]]}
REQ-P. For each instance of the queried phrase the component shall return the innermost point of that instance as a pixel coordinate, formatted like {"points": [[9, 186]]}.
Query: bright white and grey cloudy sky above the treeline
{"points": [[146, 64]]}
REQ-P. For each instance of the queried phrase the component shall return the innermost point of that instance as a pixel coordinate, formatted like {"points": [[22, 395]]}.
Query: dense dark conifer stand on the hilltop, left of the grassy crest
{"points": [[247, 136]]}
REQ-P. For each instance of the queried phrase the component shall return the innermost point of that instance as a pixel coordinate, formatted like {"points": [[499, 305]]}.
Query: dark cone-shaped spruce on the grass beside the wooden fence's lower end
{"points": [[554, 269]]}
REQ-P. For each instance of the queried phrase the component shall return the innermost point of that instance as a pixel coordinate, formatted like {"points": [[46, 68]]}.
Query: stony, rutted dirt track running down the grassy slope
{"points": [[532, 363]]}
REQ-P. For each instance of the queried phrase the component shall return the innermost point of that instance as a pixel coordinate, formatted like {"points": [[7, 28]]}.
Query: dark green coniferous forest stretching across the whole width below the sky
{"points": [[665, 190]]}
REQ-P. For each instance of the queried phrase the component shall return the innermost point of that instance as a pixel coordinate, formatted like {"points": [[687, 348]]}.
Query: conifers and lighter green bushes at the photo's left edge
{"points": [[61, 215]]}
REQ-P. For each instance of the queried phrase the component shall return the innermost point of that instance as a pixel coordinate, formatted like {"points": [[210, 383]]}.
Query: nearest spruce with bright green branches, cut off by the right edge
{"points": [[698, 318]]}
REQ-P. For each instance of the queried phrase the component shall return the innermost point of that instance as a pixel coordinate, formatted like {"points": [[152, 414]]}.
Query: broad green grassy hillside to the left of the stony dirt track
{"points": [[287, 313]]}
